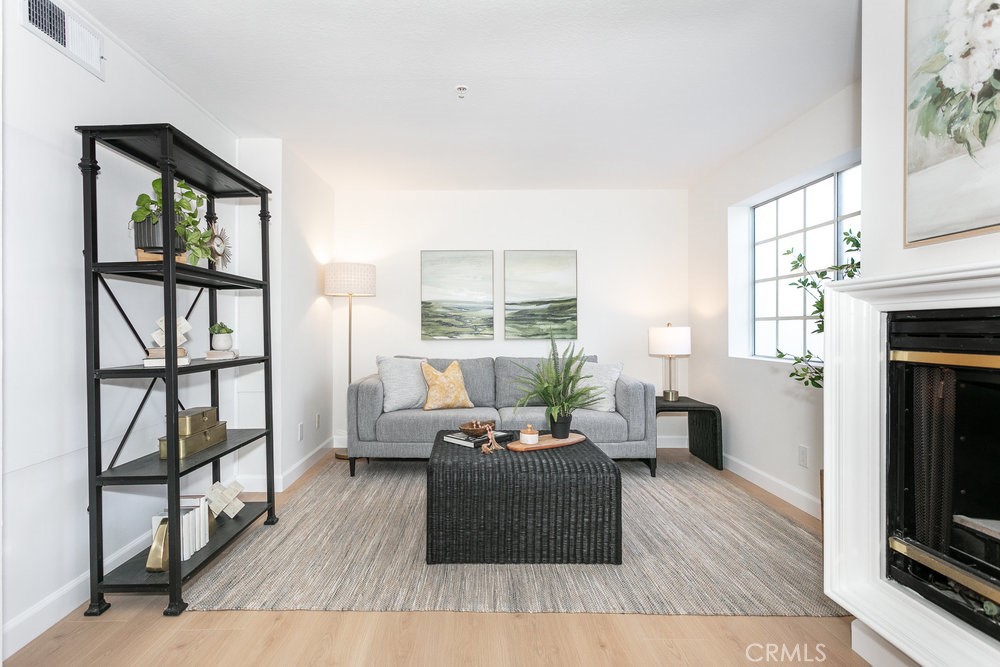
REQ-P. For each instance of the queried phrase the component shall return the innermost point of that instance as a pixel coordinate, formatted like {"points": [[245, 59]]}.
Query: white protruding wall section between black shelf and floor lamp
{"points": [[301, 207]]}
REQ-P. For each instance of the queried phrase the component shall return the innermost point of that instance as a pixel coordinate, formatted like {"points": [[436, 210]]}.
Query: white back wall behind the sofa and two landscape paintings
{"points": [[632, 270]]}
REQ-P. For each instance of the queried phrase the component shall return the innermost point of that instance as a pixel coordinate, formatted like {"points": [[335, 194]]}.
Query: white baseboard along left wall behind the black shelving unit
{"points": [[29, 624]]}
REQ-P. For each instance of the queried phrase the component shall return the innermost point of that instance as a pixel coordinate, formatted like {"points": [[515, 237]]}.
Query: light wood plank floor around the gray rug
{"points": [[134, 632]]}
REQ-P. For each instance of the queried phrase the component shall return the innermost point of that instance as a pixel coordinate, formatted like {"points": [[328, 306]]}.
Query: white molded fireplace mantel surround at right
{"points": [[855, 460]]}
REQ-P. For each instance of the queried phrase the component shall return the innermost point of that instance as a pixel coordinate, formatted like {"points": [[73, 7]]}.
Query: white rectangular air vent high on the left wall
{"points": [[66, 31]]}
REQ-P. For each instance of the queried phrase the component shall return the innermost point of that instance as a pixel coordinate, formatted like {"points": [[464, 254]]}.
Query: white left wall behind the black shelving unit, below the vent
{"points": [[45, 558]]}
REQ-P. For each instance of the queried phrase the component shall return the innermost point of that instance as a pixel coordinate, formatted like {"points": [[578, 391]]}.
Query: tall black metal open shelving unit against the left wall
{"points": [[174, 156]]}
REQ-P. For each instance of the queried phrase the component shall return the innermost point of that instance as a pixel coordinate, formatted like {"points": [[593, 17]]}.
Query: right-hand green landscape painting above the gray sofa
{"points": [[540, 294]]}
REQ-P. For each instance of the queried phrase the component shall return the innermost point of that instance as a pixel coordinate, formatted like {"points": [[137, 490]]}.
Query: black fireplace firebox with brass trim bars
{"points": [[943, 472]]}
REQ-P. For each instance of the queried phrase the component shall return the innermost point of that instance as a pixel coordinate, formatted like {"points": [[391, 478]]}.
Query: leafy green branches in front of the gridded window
{"points": [[808, 368]]}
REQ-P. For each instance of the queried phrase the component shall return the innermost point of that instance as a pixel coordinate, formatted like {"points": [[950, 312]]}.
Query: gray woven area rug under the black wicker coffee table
{"points": [[693, 543]]}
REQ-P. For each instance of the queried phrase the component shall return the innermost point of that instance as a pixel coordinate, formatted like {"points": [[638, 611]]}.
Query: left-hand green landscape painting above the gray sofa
{"points": [[456, 294]]}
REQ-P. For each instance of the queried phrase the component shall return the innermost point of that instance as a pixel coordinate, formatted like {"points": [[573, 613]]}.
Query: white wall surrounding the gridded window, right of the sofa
{"points": [[766, 415]]}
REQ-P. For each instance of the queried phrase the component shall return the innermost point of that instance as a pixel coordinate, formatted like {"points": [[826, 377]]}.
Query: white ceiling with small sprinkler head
{"points": [[562, 93]]}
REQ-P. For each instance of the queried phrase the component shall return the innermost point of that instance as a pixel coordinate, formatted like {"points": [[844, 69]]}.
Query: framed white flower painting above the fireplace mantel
{"points": [[952, 106]]}
